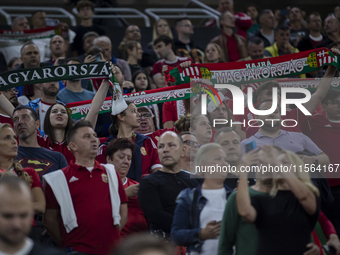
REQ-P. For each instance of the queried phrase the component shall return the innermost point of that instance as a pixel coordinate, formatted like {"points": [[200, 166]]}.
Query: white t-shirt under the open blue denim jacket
{"points": [[213, 210]]}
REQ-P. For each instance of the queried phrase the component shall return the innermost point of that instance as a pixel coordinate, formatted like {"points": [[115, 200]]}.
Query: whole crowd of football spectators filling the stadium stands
{"points": [[128, 183]]}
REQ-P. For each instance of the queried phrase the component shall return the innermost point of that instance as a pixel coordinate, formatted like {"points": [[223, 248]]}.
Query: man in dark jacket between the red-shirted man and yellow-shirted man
{"points": [[266, 32]]}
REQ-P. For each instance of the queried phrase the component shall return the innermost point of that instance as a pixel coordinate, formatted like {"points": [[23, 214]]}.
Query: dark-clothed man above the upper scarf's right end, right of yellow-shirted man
{"points": [[314, 37]]}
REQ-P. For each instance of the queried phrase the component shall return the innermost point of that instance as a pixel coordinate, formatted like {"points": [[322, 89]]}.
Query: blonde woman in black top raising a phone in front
{"points": [[286, 220]]}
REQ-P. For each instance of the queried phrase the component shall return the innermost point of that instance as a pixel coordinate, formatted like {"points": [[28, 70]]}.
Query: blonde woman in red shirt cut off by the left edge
{"points": [[8, 152]]}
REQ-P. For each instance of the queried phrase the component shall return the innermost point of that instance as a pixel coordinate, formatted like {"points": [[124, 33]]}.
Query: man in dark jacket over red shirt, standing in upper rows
{"points": [[228, 41]]}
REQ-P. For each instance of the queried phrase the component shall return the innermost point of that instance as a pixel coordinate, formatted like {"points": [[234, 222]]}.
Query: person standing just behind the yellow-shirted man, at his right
{"points": [[297, 29]]}
